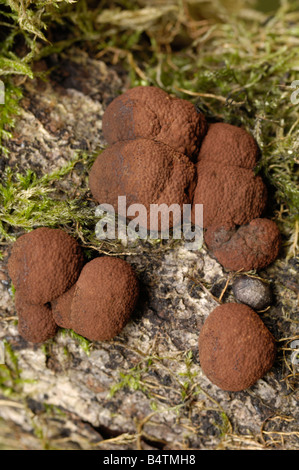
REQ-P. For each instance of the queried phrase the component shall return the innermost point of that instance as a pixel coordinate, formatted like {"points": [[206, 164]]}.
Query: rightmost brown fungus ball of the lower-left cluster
{"points": [[105, 296]]}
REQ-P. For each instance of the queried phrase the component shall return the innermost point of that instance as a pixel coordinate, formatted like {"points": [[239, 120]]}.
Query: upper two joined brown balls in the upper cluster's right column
{"points": [[226, 185]]}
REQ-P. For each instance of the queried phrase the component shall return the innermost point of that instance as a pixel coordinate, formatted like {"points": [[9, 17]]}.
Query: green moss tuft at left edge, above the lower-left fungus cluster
{"points": [[27, 201]]}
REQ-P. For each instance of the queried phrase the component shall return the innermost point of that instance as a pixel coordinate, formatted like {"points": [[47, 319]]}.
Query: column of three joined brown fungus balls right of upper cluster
{"points": [[232, 195]]}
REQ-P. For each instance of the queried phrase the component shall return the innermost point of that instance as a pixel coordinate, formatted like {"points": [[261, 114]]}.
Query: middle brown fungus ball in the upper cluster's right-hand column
{"points": [[229, 194]]}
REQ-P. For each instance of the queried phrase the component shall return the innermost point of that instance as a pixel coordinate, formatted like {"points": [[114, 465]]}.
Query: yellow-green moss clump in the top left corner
{"points": [[22, 32]]}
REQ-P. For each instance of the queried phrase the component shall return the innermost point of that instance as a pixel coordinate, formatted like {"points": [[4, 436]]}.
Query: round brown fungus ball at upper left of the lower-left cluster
{"points": [[44, 264]]}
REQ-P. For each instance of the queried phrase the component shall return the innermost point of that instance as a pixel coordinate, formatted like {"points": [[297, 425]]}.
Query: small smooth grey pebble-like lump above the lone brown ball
{"points": [[253, 292]]}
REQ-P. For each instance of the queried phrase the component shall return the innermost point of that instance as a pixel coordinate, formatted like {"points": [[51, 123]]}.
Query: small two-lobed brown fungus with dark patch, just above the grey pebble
{"points": [[252, 246]]}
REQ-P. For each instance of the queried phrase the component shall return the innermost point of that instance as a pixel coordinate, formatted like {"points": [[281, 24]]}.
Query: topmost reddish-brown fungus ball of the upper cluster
{"points": [[151, 113]]}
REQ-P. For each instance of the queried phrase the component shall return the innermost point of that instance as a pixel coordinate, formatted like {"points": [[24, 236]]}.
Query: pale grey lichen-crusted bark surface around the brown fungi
{"points": [[145, 388]]}
